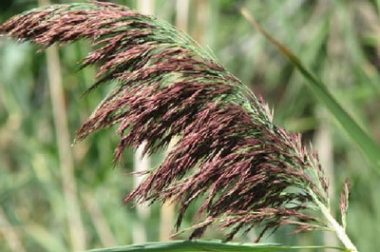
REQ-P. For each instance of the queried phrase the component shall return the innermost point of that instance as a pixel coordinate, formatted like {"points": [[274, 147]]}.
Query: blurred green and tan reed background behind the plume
{"points": [[58, 197]]}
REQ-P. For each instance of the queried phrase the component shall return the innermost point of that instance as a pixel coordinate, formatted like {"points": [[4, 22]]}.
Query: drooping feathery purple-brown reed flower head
{"points": [[248, 171]]}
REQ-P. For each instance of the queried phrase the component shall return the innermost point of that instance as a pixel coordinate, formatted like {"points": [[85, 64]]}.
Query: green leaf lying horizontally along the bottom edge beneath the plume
{"points": [[209, 246]]}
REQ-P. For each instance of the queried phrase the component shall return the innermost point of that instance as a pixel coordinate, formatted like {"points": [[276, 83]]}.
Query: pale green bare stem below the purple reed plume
{"points": [[334, 225]]}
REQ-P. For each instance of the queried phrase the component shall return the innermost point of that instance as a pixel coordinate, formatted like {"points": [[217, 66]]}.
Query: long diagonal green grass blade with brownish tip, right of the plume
{"points": [[369, 147]]}
